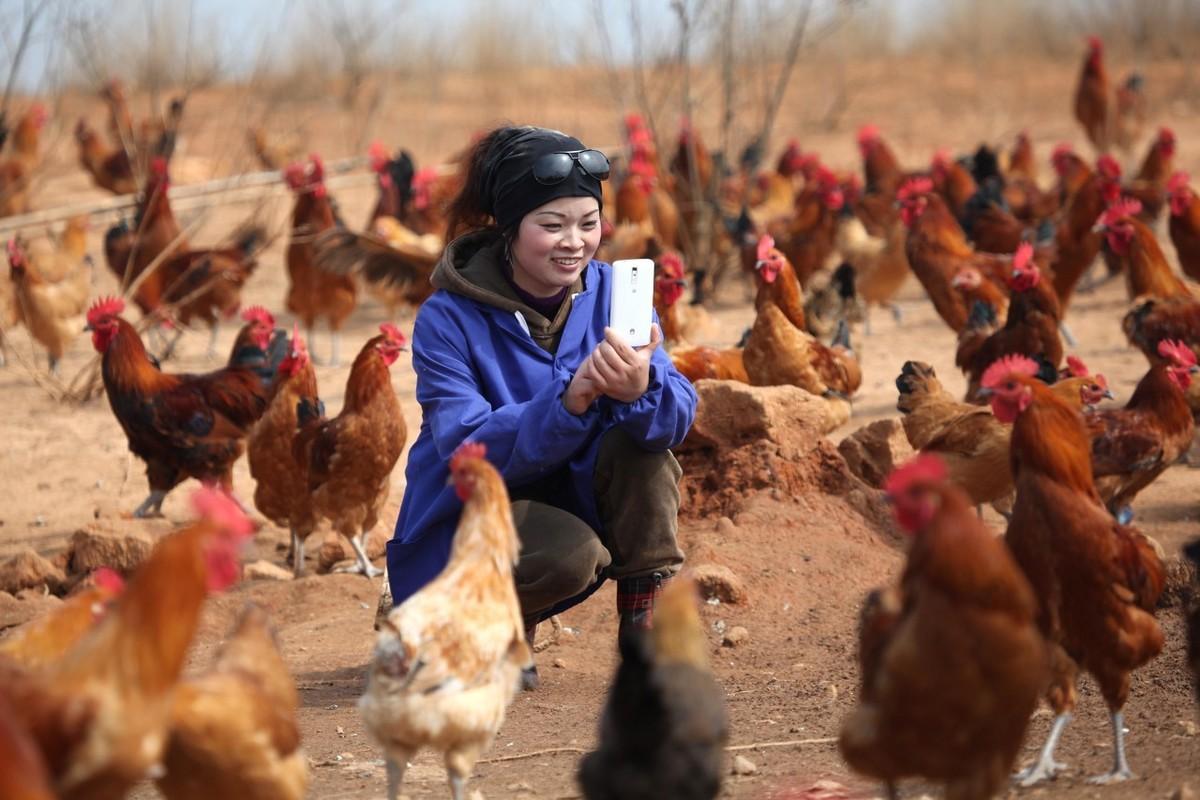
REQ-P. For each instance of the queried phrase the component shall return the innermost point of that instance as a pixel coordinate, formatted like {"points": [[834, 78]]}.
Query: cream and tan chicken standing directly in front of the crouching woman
{"points": [[448, 659]]}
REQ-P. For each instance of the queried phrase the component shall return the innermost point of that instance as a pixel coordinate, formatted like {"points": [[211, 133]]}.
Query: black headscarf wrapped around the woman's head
{"points": [[511, 189]]}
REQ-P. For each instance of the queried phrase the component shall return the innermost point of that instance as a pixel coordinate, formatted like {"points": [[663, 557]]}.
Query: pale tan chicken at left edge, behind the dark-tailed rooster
{"points": [[52, 309]]}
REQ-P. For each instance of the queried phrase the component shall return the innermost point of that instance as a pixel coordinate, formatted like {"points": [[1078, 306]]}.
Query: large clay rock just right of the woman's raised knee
{"points": [[731, 416]]}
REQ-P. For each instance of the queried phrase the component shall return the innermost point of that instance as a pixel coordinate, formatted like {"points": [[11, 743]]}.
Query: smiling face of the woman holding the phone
{"points": [[554, 245]]}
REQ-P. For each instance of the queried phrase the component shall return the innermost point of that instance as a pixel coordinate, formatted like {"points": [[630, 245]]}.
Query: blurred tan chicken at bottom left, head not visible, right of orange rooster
{"points": [[233, 730]]}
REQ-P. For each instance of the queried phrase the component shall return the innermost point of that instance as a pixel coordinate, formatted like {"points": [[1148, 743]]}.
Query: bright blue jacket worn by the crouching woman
{"points": [[482, 377]]}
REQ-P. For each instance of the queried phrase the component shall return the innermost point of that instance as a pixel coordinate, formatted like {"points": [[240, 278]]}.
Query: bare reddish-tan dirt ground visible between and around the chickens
{"points": [[790, 685]]}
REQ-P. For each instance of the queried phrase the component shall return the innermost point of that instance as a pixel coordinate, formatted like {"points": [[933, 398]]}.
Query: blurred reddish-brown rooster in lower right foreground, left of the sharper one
{"points": [[951, 659]]}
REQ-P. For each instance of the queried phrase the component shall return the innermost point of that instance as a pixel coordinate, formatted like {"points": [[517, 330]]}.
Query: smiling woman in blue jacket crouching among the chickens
{"points": [[513, 351]]}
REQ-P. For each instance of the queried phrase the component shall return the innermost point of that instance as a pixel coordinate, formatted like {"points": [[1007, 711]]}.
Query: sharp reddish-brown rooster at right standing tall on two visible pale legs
{"points": [[1097, 581]]}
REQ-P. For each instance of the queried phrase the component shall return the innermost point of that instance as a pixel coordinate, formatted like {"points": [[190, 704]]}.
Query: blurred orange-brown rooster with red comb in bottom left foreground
{"points": [[100, 713]]}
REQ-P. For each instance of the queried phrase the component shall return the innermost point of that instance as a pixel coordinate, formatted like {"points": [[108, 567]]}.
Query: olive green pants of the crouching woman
{"points": [[638, 498]]}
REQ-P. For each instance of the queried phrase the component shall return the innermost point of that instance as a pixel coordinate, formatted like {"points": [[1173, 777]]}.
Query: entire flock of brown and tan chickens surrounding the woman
{"points": [[94, 701]]}
